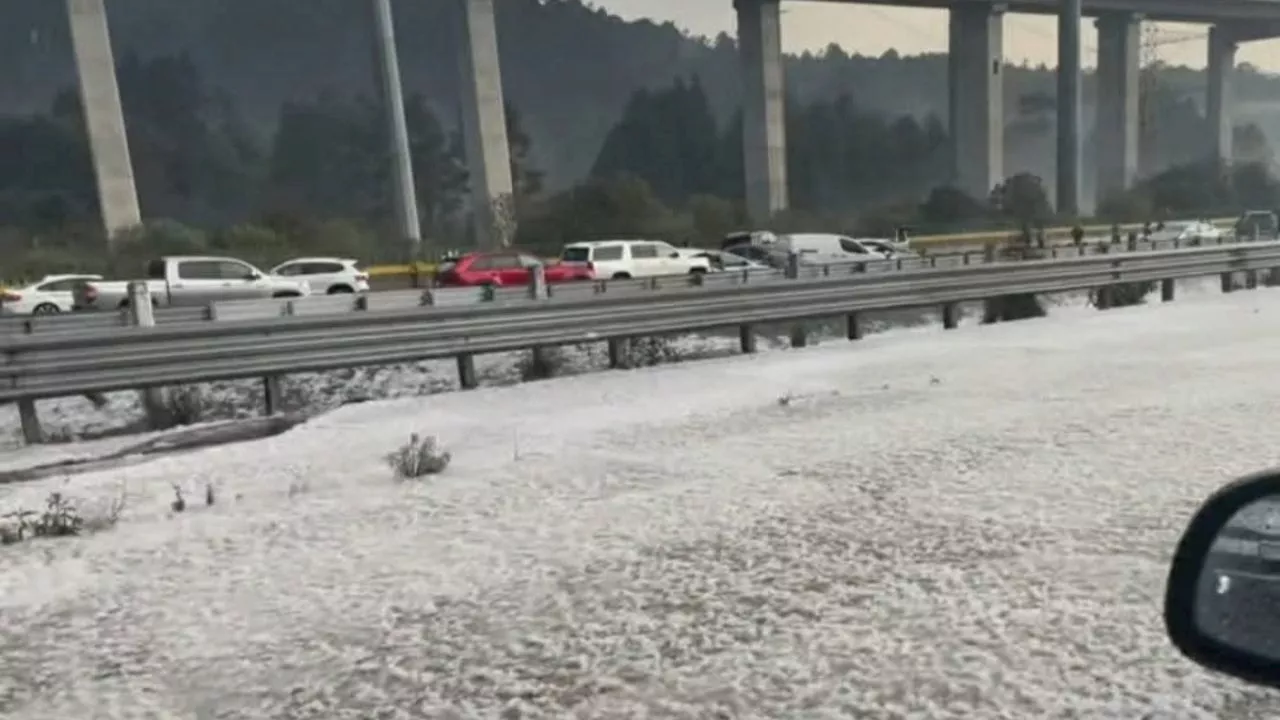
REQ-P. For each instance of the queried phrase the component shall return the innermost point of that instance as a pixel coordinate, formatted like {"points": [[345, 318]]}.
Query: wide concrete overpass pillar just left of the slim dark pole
{"points": [[977, 111]]}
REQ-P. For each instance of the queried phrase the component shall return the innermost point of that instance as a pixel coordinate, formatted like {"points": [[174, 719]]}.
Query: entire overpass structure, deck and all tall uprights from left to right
{"points": [[976, 98]]}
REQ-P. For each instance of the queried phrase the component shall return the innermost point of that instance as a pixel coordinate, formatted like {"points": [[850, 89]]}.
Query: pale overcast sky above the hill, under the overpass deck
{"points": [[870, 30]]}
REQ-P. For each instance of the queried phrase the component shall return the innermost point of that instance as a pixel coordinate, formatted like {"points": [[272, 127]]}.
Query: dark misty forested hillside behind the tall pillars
{"points": [[258, 112]]}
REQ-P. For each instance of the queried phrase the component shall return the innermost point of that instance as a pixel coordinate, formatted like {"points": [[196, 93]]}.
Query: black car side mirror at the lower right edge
{"points": [[1223, 596]]}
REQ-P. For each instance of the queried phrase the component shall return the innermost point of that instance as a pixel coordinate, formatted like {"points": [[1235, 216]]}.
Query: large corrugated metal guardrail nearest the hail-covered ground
{"points": [[102, 359]]}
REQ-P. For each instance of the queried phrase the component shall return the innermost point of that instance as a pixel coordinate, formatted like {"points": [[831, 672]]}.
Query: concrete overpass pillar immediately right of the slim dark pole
{"points": [[1119, 43]]}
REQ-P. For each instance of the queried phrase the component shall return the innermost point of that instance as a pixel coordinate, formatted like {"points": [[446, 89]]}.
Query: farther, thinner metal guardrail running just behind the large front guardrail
{"points": [[476, 297]]}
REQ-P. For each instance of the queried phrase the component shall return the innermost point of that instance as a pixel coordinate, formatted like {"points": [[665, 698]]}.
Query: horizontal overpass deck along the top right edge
{"points": [[1209, 12]]}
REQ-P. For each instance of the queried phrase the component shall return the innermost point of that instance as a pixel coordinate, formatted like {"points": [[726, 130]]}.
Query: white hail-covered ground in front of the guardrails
{"points": [[971, 525]]}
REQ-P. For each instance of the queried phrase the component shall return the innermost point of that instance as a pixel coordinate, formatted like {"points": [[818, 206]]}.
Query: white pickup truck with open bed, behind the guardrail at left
{"points": [[190, 280]]}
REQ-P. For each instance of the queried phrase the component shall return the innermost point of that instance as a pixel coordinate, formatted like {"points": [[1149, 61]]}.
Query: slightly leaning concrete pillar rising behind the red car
{"points": [[484, 129]]}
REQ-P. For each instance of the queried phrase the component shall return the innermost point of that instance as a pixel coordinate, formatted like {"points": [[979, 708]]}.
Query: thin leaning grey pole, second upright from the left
{"points": [[392, 94]]}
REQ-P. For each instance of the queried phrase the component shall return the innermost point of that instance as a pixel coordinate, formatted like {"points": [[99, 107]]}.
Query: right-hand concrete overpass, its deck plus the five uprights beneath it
{"points": [[976, 75]]}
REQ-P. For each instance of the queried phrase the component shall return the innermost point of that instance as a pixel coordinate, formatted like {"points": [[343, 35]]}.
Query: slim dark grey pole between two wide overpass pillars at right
{"points": [[1069, 108]]}
